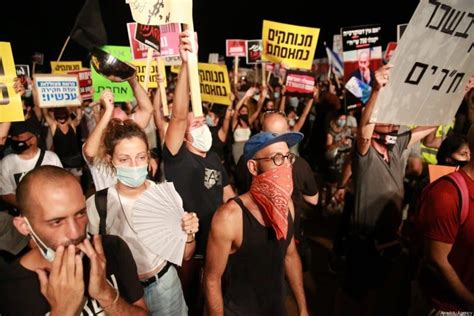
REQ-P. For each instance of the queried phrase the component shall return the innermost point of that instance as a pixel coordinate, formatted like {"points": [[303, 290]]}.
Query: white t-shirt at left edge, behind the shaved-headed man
{"points": [[13, 168]]}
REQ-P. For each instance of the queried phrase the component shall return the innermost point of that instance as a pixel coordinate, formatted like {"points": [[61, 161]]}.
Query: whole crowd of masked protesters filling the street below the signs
{"points": [[250, 175]]}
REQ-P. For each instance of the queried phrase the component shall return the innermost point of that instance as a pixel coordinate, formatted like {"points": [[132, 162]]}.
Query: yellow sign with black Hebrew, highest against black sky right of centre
{"points": [[289, 44]]}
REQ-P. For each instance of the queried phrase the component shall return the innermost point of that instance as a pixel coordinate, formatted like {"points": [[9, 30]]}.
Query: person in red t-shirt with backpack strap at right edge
{"points": [[447, 270]]}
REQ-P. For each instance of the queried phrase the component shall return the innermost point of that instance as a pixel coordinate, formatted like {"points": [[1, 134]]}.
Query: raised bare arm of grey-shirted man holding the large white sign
{"points": [[366, 129]]}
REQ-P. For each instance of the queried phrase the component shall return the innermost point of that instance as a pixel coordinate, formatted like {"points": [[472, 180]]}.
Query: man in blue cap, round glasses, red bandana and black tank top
{"points": [[251, 246]]}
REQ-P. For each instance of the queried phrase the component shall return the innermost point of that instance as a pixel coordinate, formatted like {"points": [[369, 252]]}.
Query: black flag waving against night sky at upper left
{"points": [[89, 30]]}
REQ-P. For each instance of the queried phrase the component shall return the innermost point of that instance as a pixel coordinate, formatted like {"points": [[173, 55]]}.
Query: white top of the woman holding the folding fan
{"points": [[119, 222]]}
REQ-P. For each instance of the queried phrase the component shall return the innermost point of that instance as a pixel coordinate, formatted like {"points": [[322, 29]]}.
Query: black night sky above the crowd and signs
{"points": [[43, 26]]}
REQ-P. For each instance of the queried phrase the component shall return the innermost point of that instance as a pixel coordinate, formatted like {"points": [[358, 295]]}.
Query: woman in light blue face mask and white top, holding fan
{"points": [[126, 151]]}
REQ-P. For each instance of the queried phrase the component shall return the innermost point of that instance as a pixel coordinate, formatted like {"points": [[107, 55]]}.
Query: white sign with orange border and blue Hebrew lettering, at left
{"points": [[57, 90]]}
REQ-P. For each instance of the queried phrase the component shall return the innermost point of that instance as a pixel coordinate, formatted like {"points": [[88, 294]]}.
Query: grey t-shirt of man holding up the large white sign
{"points": [[378, 188]]}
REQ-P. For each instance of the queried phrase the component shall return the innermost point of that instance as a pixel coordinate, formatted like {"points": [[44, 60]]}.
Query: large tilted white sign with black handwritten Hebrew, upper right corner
{"points": [[432, 64]]}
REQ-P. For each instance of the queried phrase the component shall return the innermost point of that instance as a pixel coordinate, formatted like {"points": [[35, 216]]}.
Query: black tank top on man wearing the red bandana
{"points": [[253, 282]]}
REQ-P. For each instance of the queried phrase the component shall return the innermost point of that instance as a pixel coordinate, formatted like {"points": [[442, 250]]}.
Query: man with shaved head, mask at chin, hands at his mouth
{"points": [[67, 273]]}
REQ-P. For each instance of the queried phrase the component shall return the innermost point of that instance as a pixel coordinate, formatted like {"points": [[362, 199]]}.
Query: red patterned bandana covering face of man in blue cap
{"points": [[272, 190]]}
